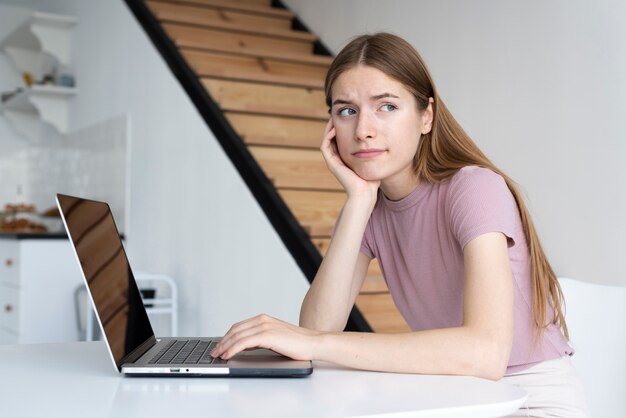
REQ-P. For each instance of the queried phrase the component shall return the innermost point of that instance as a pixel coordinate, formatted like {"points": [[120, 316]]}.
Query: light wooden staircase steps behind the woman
{"points": [[268, 81]]}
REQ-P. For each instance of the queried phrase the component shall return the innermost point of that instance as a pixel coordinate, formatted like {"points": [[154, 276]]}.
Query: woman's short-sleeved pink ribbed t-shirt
{"points": [[419, 243]]}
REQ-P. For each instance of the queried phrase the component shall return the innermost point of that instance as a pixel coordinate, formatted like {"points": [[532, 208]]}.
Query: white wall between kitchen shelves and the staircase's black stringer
{"points": [[190, 215]]}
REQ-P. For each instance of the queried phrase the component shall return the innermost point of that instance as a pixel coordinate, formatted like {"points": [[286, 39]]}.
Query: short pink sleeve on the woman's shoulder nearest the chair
{"points": [[479, 201]]}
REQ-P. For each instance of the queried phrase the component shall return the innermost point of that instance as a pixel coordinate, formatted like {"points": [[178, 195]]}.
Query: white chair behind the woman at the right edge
{"points": [[596, 318]]}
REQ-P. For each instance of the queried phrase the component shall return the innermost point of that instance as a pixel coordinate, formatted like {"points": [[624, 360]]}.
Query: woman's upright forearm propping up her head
{"points": [[327, 304]]}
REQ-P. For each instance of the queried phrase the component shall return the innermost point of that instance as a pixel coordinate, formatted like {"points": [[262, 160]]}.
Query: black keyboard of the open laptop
{"points": [[187, 352]]}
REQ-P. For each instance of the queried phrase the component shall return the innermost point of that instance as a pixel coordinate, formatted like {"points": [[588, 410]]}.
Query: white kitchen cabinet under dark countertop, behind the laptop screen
{"points": [[38, 280]]}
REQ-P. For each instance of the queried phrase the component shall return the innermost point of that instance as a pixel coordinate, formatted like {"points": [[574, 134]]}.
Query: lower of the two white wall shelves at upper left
{"points": [[28, 109]]}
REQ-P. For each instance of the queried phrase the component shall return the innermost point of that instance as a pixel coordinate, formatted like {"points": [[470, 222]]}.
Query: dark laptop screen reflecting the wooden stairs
{"points": [[106, 270]]}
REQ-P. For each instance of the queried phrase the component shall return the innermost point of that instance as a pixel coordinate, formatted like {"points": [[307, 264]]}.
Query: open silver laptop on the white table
{"points": [[123, 319]]}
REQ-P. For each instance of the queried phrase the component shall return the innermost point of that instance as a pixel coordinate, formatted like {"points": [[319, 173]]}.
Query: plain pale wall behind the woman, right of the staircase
{"points": [[541, 87]]}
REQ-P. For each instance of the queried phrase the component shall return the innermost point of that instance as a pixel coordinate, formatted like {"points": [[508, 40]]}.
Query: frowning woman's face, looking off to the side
{"points": [[378, 124]]}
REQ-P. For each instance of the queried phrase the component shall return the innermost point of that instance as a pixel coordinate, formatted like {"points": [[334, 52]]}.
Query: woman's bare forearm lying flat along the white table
{"points": [[455, 351]]}
